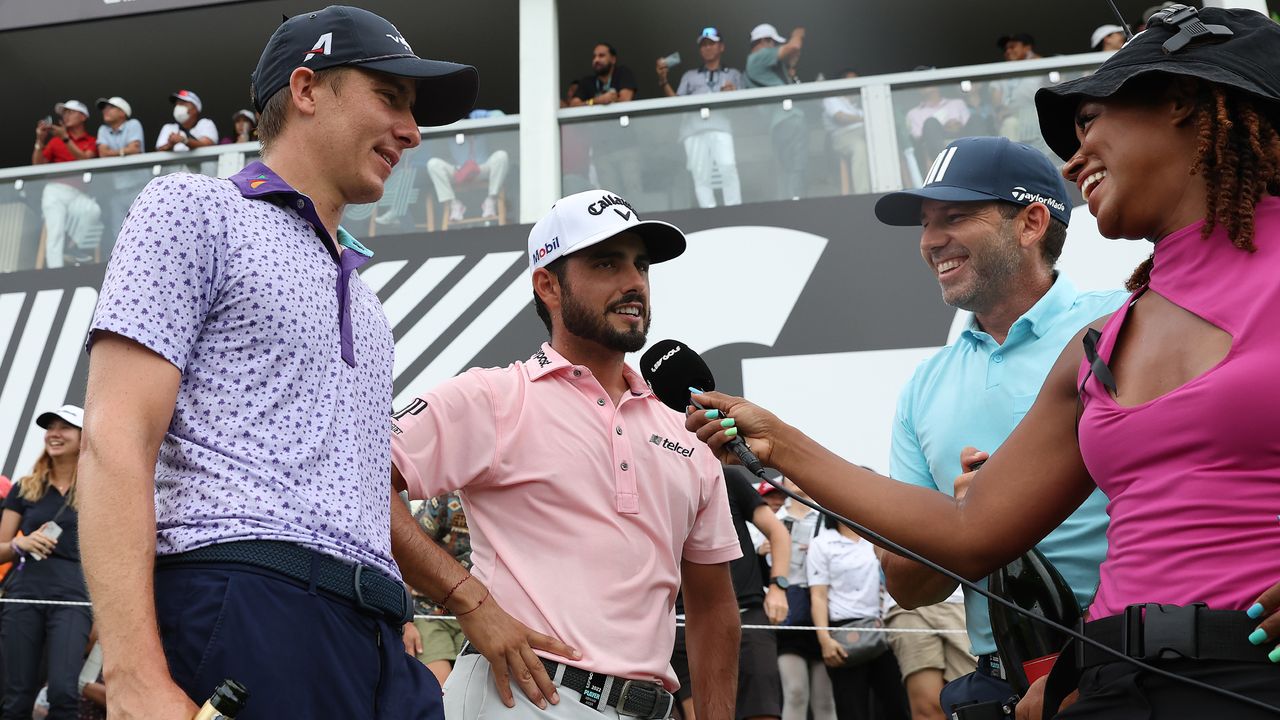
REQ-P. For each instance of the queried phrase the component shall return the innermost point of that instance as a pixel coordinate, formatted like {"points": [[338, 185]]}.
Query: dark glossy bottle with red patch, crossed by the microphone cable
{"points": [[1028, 649]]}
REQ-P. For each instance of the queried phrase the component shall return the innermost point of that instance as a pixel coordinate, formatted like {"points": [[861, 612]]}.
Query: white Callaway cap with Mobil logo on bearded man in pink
{"points": [[587, 218]]}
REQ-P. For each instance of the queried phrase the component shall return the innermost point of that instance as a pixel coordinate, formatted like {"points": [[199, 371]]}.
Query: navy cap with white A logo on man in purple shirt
{"points": [[345, 37]]}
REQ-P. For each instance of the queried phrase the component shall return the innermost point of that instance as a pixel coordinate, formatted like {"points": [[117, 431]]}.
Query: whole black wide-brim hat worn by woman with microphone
{"points": [[1249, 60]]}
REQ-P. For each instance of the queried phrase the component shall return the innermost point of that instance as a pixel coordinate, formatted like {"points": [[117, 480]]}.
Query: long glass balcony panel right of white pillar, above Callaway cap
{"points": [[776, 149]]}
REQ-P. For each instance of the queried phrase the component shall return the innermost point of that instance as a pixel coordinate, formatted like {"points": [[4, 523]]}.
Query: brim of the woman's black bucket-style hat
{"points": [[1057, 106]]}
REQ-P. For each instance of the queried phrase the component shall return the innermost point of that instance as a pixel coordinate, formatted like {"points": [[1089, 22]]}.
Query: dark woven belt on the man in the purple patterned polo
{"points": [[364, 587]]}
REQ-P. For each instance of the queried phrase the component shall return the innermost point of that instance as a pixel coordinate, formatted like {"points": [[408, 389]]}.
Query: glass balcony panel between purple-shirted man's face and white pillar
{"points": [[465, 180]]}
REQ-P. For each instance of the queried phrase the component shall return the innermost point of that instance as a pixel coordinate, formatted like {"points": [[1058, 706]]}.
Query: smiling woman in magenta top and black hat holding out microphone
{"points": [[1173, 411]]}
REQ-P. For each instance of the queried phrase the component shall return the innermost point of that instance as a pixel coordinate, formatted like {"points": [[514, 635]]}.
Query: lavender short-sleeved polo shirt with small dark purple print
{"points": [[281, 427]]}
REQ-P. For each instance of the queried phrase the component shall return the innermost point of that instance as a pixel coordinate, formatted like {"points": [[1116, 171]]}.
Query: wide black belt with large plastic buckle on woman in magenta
{"points": [[1169, 632]]}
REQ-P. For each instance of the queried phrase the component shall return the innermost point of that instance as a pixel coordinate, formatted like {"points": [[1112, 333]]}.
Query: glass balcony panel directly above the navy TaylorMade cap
{"points": [[930, 117]]}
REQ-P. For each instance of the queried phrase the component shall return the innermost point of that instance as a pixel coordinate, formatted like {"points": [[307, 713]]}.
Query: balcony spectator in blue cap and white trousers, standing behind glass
{"points": [[708, 142]]}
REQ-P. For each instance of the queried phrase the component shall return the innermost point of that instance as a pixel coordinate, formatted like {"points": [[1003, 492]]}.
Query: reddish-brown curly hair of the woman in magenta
{"points": [[1240, 157]]}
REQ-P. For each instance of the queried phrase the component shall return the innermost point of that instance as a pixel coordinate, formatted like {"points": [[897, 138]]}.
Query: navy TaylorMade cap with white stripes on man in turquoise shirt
{"points": [[975, 170]]}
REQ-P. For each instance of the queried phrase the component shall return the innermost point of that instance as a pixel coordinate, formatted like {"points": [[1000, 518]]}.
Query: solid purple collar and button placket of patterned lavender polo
{"points": [[259, 183]]}
